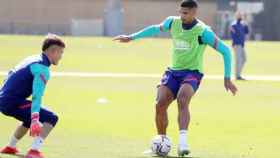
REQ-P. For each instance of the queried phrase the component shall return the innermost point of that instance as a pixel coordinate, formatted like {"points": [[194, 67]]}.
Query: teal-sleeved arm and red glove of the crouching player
{"points": [[41, 75]]}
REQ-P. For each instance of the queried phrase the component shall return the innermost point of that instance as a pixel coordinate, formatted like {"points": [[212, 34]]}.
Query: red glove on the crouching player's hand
{"points": [[36, 126]]}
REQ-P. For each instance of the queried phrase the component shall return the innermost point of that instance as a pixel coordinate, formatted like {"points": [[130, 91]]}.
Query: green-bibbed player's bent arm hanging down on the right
{"points": [[211, 39]]}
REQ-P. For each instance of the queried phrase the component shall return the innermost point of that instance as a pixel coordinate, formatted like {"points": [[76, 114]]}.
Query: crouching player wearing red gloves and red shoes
{"points": [[30, 78]]}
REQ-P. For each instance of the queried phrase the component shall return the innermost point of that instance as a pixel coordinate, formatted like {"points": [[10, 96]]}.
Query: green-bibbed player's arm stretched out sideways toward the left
{"points": [[149, 31]]}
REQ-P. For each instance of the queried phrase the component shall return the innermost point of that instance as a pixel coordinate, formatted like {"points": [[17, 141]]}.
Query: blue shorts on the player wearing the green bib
{"points": [[173, 79]]}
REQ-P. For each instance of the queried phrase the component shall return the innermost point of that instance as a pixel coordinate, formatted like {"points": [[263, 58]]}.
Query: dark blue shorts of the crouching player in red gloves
{"points": [[22, 113]]}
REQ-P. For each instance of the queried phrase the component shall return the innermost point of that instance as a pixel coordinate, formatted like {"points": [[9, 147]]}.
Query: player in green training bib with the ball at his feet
{"points": [[182, 78]]}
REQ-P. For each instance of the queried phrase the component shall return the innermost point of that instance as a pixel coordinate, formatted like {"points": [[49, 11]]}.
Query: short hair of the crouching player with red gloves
{"points": [[51, 40]]}
